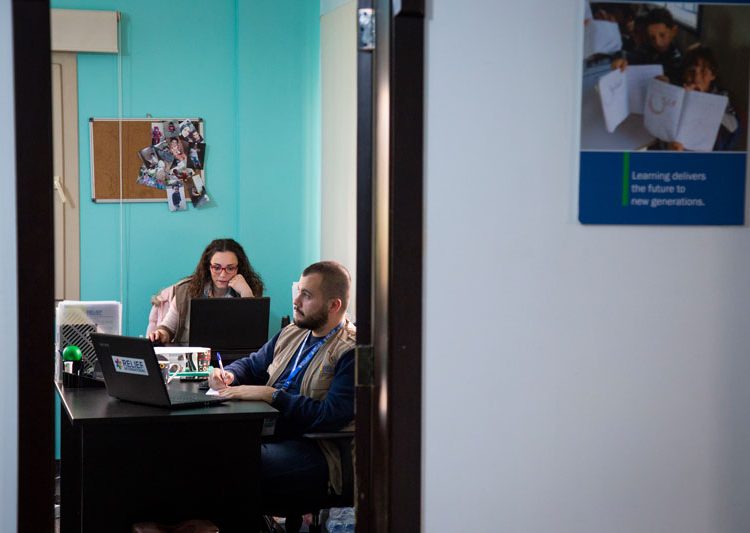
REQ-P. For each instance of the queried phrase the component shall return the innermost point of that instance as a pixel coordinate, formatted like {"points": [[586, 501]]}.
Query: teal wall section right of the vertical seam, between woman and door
{"points": [[279, 135]]}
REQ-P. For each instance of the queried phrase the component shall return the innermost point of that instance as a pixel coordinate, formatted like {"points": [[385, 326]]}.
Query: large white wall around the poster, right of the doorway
{"points": [[577, 378]]}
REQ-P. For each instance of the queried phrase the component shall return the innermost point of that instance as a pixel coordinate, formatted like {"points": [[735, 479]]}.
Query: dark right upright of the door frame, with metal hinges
{"points": [[389, 270]]}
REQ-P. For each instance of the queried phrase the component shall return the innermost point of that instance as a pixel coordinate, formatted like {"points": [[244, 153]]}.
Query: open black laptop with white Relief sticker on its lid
{"points": [[131, 373]]}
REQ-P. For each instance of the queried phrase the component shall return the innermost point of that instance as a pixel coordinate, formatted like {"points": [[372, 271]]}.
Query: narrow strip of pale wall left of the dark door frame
{"points": [[8, 309]]}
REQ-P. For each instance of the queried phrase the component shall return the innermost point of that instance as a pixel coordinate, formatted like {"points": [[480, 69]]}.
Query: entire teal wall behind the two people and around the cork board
{"points": [[250, 69]]}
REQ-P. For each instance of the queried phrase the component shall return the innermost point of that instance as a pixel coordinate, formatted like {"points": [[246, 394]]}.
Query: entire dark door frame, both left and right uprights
{"points": [[395, 496]]}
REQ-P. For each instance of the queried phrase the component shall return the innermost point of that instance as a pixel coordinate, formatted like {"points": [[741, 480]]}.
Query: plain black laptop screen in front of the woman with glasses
{"points": [[231, 326]]}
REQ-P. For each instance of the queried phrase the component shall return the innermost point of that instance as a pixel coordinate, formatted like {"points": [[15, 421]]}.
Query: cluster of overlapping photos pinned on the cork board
{"points": [[174, 162]]}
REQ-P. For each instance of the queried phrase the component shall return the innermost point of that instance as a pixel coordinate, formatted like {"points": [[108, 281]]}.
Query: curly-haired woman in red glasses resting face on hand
{"points": [[222, 272]]}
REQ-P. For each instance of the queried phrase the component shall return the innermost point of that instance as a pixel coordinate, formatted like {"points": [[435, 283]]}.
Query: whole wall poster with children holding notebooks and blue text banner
{"points": [[664, 106]]}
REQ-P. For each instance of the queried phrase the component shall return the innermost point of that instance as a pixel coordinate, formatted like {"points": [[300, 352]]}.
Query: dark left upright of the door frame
{"points": [[34, 231]]}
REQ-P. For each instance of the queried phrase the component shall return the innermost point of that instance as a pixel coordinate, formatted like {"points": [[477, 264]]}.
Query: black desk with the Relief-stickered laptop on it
{"points": [[123, 463]]}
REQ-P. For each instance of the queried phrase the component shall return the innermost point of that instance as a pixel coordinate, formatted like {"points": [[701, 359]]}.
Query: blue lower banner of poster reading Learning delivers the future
{"points": [[662, 188]]}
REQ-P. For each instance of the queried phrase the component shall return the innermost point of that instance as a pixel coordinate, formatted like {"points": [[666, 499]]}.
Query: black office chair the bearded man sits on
{"points": [[344, 441]]}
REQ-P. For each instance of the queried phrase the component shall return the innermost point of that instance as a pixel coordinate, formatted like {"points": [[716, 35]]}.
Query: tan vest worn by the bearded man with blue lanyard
{"points": [[316, 379]]}
